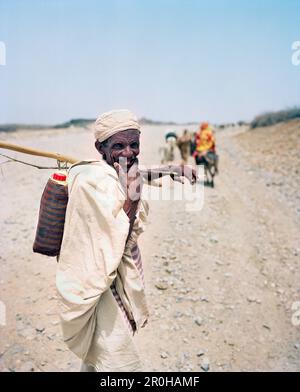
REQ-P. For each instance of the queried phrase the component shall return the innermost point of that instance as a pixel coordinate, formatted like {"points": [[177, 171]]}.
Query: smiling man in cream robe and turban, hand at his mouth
{"points": [[99, 275]]}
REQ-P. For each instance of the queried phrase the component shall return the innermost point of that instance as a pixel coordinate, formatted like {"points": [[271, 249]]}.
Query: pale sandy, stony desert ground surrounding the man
{"points": [[229, 272]]}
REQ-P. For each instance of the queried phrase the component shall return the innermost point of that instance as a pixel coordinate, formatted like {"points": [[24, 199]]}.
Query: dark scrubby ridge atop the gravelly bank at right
{"points": [[271, 118]]}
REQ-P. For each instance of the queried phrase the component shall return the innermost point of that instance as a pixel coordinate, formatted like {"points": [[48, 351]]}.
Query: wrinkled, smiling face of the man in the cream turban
{"points": [[125, 145]]}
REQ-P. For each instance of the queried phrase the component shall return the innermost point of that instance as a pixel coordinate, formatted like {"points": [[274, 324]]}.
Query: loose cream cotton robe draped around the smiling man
{"points": [[94, 254]]}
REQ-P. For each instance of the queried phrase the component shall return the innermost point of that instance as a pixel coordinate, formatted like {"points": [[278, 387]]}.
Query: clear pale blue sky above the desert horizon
{"points": [[180, 60]]}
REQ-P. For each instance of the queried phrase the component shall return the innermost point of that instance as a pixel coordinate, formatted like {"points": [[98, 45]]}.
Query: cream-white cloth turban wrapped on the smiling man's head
{"points": [[113, 122]]}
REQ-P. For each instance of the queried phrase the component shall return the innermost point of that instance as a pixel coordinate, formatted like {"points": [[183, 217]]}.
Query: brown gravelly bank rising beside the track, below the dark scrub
{"points": [[273, 154]]}
